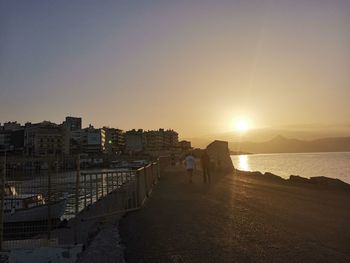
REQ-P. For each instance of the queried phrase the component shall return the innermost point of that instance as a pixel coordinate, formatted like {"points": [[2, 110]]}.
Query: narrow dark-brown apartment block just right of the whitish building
{"points": [[114, 140]]}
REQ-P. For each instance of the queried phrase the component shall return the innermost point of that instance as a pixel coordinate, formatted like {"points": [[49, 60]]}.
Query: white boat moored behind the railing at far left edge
{"points": [[30, 207]]}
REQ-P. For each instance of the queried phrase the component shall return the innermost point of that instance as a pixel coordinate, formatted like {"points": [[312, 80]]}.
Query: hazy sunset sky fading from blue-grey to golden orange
{"points": [[193, 66]]}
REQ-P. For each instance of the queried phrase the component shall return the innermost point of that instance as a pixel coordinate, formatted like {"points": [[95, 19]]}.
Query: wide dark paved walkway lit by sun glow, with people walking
{"points": [[236, 219]]}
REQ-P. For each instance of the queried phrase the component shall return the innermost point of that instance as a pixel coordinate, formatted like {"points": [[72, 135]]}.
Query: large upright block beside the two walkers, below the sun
{"points": [[220, 156]]}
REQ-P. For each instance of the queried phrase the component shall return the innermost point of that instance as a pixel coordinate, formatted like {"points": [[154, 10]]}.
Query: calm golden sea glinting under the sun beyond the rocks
{"points": [[329, 164]]}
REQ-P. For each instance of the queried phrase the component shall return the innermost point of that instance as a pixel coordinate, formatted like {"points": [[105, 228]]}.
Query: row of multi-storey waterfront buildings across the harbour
{"points": [[69, 138]]}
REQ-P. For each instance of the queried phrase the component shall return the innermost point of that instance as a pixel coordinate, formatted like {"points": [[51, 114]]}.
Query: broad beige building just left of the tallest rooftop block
{"points": [[42, 139]]}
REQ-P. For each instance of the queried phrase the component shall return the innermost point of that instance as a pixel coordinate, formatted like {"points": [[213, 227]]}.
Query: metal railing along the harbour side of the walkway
{"points": [[64, 198]]}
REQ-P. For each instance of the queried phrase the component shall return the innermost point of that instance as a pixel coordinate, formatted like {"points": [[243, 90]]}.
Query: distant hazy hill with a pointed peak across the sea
{"points": [[280, 144]]}
